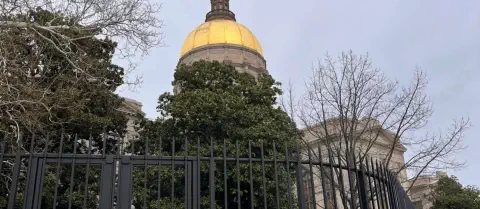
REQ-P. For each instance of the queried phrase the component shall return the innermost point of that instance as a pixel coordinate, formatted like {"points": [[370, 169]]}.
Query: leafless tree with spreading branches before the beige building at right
{"points": [[353, 109]]}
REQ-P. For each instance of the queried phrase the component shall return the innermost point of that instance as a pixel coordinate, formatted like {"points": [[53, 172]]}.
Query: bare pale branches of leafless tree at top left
{"points": [[29, 29]]}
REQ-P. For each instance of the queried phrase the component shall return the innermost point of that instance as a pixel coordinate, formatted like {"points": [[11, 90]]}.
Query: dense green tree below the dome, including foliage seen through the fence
{"points": [[217, 104]]}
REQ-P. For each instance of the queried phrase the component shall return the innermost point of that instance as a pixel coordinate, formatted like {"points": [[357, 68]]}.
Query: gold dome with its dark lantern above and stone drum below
{"points": [[221, 38]]}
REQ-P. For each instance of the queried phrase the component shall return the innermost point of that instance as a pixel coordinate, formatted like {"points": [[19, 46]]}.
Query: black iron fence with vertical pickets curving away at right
{"points": [[70, 172]]}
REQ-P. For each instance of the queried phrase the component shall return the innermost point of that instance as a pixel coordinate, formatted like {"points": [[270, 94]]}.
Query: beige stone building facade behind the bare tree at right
{"points": [[373, 141]]}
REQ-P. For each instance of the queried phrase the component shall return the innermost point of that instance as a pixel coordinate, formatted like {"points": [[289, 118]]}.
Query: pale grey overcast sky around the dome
{"points": [[440, 36]]}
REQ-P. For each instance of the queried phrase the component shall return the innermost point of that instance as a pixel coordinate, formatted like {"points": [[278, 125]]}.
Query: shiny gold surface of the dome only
{"points": [[221, 32]]}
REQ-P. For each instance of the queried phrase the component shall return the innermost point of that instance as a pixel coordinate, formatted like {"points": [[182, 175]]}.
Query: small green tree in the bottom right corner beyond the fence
{"points": [[450, 194]]}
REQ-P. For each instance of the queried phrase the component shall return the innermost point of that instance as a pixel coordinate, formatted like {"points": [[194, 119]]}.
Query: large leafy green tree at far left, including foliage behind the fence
{"points": [[57, 83]]}
